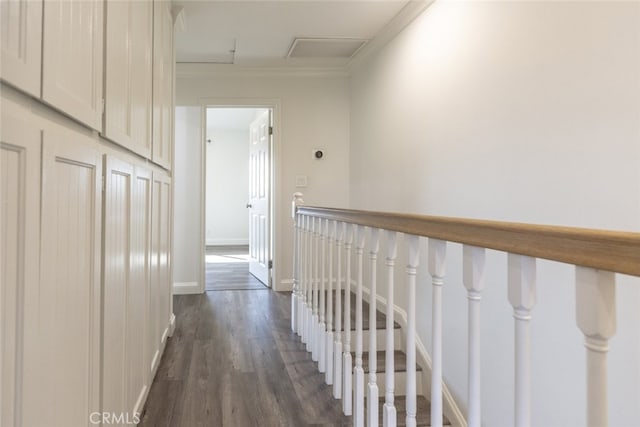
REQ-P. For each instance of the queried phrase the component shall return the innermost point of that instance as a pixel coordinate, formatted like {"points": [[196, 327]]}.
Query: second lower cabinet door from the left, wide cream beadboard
{"points": [[69, 299]]}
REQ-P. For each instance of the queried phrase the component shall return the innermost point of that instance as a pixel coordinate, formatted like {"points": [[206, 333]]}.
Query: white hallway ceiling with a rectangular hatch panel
{"points": [[262, 33]]}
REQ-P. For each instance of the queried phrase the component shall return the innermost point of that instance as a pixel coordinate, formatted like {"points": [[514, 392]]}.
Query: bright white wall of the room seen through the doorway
{"points": [[227, 187]]}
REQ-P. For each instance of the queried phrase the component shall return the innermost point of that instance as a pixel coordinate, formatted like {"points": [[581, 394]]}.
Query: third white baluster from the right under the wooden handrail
{"points": [[473, 262]]}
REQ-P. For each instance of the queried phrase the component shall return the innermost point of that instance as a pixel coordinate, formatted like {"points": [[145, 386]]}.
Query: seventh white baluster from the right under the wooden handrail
{"points": [[372, 389]]}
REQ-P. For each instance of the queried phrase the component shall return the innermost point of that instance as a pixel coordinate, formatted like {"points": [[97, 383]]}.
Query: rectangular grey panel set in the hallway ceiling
{"points": [[325, 47]]}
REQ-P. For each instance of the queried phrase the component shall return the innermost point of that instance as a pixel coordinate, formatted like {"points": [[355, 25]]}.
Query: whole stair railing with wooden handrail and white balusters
{"points": [[597, 255]]}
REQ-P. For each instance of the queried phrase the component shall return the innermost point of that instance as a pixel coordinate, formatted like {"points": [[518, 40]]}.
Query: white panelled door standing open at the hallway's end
{"points": [[259, 221]]}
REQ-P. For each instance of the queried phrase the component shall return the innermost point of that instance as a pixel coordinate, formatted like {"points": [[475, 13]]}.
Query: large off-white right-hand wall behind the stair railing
{"points": [[519, 111]]}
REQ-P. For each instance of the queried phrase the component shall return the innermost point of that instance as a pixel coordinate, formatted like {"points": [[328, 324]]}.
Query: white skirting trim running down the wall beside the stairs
{"points": [[451, 409]]}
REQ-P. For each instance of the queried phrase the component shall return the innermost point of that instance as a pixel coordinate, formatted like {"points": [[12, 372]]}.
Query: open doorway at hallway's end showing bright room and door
{"points": [[237, 198]]}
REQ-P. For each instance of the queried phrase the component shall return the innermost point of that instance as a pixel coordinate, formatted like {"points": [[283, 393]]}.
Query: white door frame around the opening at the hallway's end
{"points": [[274, 105]]}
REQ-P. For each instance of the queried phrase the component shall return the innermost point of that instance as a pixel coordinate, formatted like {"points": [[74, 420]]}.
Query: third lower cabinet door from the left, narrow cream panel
{"points": [[116, 283]]}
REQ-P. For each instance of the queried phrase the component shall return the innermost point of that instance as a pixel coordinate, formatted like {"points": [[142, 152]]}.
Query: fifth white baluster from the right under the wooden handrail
{"points": [[414, 257]]}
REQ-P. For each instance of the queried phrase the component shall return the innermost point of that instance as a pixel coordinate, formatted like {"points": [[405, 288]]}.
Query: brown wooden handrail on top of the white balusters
{"points": [[615, 251]]}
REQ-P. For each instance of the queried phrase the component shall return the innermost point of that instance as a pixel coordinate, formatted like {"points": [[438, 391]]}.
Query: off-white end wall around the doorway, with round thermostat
{"points": [[314, 113]]}
